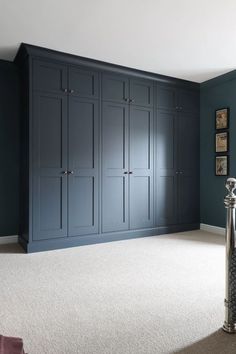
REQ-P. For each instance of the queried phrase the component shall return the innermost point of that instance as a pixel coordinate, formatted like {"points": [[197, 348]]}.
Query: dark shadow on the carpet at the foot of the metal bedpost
{"points": [[218, 342]]}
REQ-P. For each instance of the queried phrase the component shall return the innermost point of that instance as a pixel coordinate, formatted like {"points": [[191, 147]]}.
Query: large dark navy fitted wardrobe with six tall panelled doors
{"points": [[107, 152]]}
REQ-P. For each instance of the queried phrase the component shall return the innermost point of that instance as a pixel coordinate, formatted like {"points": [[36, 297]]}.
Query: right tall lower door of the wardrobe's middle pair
{"points": [[141, 167]]}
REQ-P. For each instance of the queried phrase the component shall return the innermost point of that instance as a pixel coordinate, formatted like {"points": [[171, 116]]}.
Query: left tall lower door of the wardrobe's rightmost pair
{"points": [[166, 159]]}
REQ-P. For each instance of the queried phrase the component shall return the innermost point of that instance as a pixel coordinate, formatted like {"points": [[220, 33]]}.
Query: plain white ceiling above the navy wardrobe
{"points": [[189, 39]]}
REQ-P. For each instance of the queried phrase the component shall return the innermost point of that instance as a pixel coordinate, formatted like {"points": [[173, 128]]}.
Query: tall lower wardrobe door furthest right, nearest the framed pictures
{"points": [[188, 162]]}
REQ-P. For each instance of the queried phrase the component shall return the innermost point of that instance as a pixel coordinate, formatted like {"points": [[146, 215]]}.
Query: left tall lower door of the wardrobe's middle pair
{"points": [[114, 167]]}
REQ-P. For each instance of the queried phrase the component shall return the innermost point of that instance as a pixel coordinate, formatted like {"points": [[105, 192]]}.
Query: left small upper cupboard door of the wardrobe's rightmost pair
{"points": [[166, 97]]}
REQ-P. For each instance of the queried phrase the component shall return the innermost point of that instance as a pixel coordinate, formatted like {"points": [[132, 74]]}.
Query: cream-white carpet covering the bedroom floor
{"points": [[143, 296]]}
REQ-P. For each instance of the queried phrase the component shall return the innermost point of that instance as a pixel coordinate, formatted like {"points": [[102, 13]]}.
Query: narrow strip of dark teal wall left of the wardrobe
{"points": [[9, 149]]}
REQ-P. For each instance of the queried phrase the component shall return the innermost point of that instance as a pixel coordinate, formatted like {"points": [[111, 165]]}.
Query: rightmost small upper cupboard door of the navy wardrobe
{"points": [[188, 101]]}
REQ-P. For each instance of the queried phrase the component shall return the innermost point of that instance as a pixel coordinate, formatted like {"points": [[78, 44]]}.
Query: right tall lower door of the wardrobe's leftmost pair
{"points": [[83, 167]]}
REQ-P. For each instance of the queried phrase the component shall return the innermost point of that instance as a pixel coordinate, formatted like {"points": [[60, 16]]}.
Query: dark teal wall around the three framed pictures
{"points": [[216, 93]]}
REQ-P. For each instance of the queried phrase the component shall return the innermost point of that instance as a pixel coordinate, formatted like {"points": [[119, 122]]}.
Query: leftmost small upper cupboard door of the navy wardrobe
{"points": [[49, 77]]}
